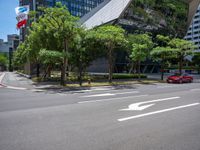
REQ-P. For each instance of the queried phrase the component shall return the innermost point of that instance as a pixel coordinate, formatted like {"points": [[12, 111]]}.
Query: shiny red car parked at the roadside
{"points": [[185, 78]]}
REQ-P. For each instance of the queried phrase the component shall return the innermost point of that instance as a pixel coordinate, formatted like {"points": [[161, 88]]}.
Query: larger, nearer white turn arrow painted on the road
{"points": [[136, 106]]}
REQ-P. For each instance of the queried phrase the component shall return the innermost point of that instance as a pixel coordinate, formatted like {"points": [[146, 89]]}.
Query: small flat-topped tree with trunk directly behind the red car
{"points": [[184, 48]]}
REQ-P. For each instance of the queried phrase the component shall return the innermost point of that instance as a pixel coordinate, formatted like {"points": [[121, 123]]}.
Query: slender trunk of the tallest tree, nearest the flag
{"points": [[64, 65]]}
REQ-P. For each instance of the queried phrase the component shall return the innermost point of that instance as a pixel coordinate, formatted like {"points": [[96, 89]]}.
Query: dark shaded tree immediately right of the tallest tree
{"points": [[85, 50]]}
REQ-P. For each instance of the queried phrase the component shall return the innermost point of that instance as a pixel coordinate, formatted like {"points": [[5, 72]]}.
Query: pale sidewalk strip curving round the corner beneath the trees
{"points": [[14, 80]]}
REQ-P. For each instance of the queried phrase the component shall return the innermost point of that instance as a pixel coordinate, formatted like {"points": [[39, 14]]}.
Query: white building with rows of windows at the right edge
{"points": [[193, 33]]}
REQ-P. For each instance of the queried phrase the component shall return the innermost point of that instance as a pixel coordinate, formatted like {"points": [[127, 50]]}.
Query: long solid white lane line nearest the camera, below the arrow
{"points": [[157, 112]]}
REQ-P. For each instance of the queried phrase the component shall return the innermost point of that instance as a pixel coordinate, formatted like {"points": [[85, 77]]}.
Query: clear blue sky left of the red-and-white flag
{"points": [[8, 18]]}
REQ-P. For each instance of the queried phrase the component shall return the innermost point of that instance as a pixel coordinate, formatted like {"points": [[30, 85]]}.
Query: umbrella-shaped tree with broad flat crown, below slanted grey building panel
{"points": [[110, 37]]}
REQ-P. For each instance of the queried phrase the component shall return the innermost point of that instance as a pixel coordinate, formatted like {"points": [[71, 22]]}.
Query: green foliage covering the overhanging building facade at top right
{"points": [[172, 12]]}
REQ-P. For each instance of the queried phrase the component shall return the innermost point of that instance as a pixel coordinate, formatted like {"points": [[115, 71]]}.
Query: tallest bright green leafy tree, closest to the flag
{"points": [[52, 34]]}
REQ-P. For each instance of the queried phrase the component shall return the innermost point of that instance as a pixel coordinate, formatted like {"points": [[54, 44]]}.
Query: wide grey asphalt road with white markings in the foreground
{"points": [[137, 117]]}
